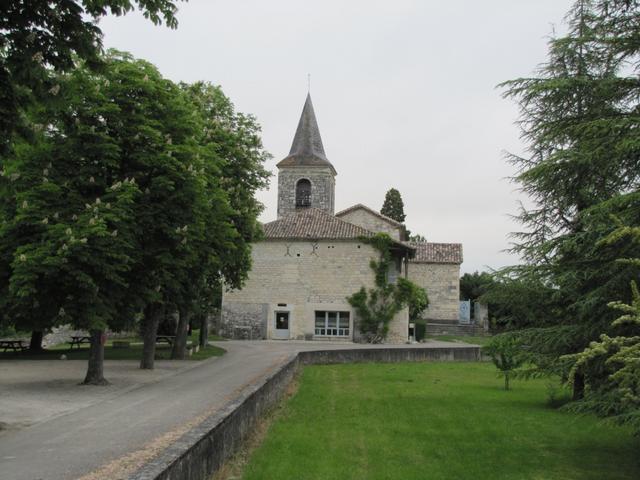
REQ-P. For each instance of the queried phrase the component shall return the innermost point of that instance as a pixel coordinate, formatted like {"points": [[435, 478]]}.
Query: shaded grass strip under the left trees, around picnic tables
{"points": [[133, 352]]}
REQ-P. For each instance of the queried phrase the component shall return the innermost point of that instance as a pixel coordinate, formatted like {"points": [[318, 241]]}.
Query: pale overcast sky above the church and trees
{"points": [[405, 93]]}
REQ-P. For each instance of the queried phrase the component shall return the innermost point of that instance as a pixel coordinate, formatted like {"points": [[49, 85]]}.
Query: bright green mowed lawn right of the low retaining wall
{"points": [[434, 421]]}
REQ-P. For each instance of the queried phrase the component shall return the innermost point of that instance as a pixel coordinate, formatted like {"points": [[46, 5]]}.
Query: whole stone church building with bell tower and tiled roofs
{"points": [[311, 259]]}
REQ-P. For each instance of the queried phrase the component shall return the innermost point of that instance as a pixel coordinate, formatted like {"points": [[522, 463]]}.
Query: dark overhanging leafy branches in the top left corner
{"points": [[39, 37]]}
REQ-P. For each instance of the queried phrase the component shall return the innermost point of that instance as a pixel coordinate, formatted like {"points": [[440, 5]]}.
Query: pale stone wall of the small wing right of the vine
{"points": [[442, 283]]}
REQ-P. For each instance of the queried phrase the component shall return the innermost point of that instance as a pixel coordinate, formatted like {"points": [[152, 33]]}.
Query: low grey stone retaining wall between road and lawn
{"points": [[199, 453]]}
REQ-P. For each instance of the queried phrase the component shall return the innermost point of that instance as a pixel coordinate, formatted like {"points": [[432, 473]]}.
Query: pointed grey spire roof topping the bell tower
{"points": [[307, 149]]}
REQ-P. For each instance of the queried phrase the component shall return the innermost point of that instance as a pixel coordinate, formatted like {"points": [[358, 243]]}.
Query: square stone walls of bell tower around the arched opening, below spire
{"points": [[322, 188]]}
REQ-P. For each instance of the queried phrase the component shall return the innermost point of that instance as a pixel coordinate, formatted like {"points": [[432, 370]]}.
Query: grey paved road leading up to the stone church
{"points": [[141, 419]]}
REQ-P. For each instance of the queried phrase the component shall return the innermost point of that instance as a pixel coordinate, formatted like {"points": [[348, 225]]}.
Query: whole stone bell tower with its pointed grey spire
{"points": [[306, 178]]}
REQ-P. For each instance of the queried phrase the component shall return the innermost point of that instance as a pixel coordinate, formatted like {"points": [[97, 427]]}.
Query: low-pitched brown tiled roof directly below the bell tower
{"points": [[315, 224]]}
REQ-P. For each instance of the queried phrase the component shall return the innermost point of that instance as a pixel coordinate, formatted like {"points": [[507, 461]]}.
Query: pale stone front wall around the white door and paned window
{"points": [[301, 278]]}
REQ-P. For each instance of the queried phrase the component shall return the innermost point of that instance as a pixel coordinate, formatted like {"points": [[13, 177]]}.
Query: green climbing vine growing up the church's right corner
{"points": [[377, 306]]}
